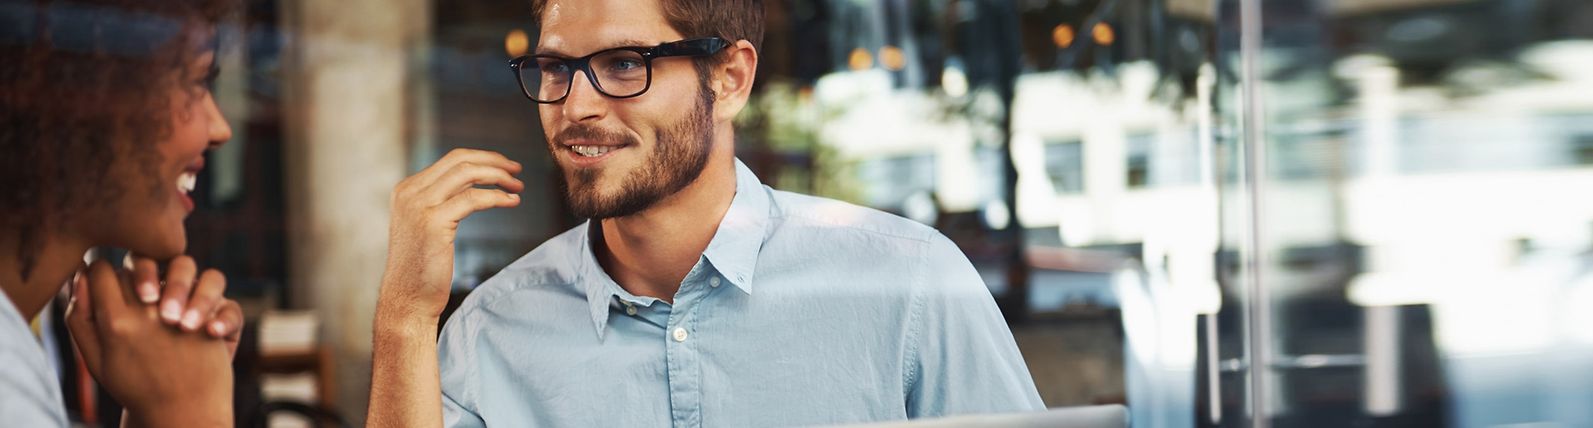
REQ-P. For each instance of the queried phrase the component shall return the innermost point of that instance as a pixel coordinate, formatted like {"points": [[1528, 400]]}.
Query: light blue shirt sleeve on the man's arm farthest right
{"points": [[963, 359]]}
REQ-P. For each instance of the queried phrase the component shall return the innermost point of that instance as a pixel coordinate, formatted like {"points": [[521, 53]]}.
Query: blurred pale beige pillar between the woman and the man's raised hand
{"points": [[350, 103]]}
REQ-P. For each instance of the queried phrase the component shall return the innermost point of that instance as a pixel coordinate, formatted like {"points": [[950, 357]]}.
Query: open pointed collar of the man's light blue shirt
{"points": [[734, 249]]}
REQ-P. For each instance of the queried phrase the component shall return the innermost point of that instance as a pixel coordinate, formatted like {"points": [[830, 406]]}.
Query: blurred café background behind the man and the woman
{"points": [[1216, 212]]}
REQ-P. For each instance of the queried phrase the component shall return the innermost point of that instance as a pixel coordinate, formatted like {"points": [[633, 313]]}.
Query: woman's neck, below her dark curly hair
{"points": [[53, 263]]}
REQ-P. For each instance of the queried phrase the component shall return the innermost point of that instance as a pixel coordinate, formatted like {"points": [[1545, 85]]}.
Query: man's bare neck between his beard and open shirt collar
{"points": [[652, 252]]}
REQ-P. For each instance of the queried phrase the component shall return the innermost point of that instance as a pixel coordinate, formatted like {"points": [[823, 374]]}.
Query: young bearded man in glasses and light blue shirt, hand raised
{"points": [[694, 295]]}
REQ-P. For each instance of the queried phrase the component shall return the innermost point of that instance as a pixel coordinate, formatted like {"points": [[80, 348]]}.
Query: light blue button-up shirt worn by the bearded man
{"points": [[802, 311]]}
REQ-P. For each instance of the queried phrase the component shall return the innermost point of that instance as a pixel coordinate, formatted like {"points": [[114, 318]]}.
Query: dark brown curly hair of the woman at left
{"points": [[87, 85]]}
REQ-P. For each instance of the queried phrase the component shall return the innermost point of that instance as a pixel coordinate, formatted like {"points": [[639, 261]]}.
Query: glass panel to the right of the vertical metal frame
{"points": [[1425, 233]]}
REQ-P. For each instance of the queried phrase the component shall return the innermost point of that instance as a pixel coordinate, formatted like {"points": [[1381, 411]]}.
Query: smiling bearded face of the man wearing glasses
{"points": [[648, 147]]}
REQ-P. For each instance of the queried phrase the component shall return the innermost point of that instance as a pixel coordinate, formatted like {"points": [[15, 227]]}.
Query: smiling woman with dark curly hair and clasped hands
{"points": [[104, 122]]}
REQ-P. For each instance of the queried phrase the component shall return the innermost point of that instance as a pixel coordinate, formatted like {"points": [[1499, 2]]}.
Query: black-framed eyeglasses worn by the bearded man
{"points": [[620, 72]]}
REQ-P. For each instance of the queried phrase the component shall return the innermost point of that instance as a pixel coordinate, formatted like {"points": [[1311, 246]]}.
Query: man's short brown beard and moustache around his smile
{"points": [[678, 158]]}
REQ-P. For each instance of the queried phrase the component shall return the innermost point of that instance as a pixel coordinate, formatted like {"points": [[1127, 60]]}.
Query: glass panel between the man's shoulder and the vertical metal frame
{"points": [[1071, 149]]}
